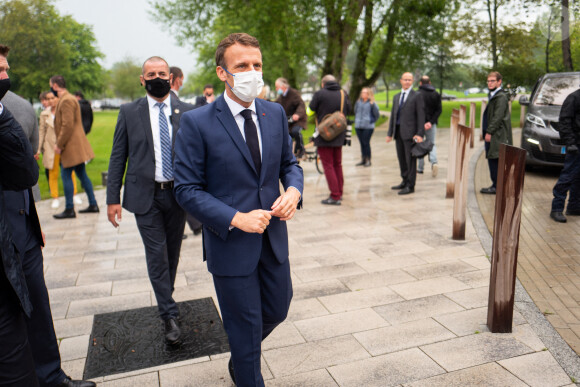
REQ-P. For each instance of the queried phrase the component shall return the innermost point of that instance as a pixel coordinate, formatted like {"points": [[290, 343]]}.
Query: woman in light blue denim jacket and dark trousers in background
{"points": [[366, 113]]}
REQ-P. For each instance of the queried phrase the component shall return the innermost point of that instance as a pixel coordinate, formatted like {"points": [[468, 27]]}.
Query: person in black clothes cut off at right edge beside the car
{"points": [[569, 180]]}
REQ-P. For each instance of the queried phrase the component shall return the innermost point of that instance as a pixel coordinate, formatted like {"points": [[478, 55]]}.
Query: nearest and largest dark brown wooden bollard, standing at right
{"points": [[506, 235]]}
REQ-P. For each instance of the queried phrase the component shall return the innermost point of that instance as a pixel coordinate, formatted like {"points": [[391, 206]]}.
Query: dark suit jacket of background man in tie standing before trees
{"points": [[412, 119]]}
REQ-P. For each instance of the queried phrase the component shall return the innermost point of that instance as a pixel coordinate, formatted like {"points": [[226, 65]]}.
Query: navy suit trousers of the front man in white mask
{"points": [[252, 306]]}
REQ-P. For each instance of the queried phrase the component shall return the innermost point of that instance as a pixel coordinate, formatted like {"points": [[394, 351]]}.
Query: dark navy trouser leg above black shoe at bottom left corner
{"points": [[40, 327]]}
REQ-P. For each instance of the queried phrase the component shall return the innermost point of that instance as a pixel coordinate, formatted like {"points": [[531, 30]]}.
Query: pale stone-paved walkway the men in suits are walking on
{"points": [[382, 295]]}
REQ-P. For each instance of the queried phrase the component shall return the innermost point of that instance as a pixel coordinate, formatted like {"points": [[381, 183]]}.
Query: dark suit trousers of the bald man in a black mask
{"points": [[161, 230]]}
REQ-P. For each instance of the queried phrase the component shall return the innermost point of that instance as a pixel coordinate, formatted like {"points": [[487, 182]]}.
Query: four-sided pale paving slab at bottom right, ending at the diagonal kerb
{"points": [[537, 369]]}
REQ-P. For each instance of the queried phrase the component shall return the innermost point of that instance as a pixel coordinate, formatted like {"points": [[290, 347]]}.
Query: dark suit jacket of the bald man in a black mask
{"points": [[133, 150]]}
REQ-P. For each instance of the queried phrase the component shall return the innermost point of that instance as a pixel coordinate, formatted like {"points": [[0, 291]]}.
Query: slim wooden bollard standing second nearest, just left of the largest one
{"points": [[461, 177]]}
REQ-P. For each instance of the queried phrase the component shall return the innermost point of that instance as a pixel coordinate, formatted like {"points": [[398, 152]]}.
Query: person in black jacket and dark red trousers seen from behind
{"points": [[327, 101]]}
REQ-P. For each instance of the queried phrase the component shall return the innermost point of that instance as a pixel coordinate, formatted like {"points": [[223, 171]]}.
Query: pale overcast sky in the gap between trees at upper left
{"points": [[125, 28]]}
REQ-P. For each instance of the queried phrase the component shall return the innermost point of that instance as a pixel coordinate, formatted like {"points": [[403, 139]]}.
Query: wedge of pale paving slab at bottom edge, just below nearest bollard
{"points": [[488, 375]]}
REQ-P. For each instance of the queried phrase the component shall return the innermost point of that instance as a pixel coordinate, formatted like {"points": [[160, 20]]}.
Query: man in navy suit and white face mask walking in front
{"points": [[230, 157]]}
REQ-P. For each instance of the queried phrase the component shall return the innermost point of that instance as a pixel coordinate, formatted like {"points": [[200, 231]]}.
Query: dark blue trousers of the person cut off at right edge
{"points": [[569, 180]]}
